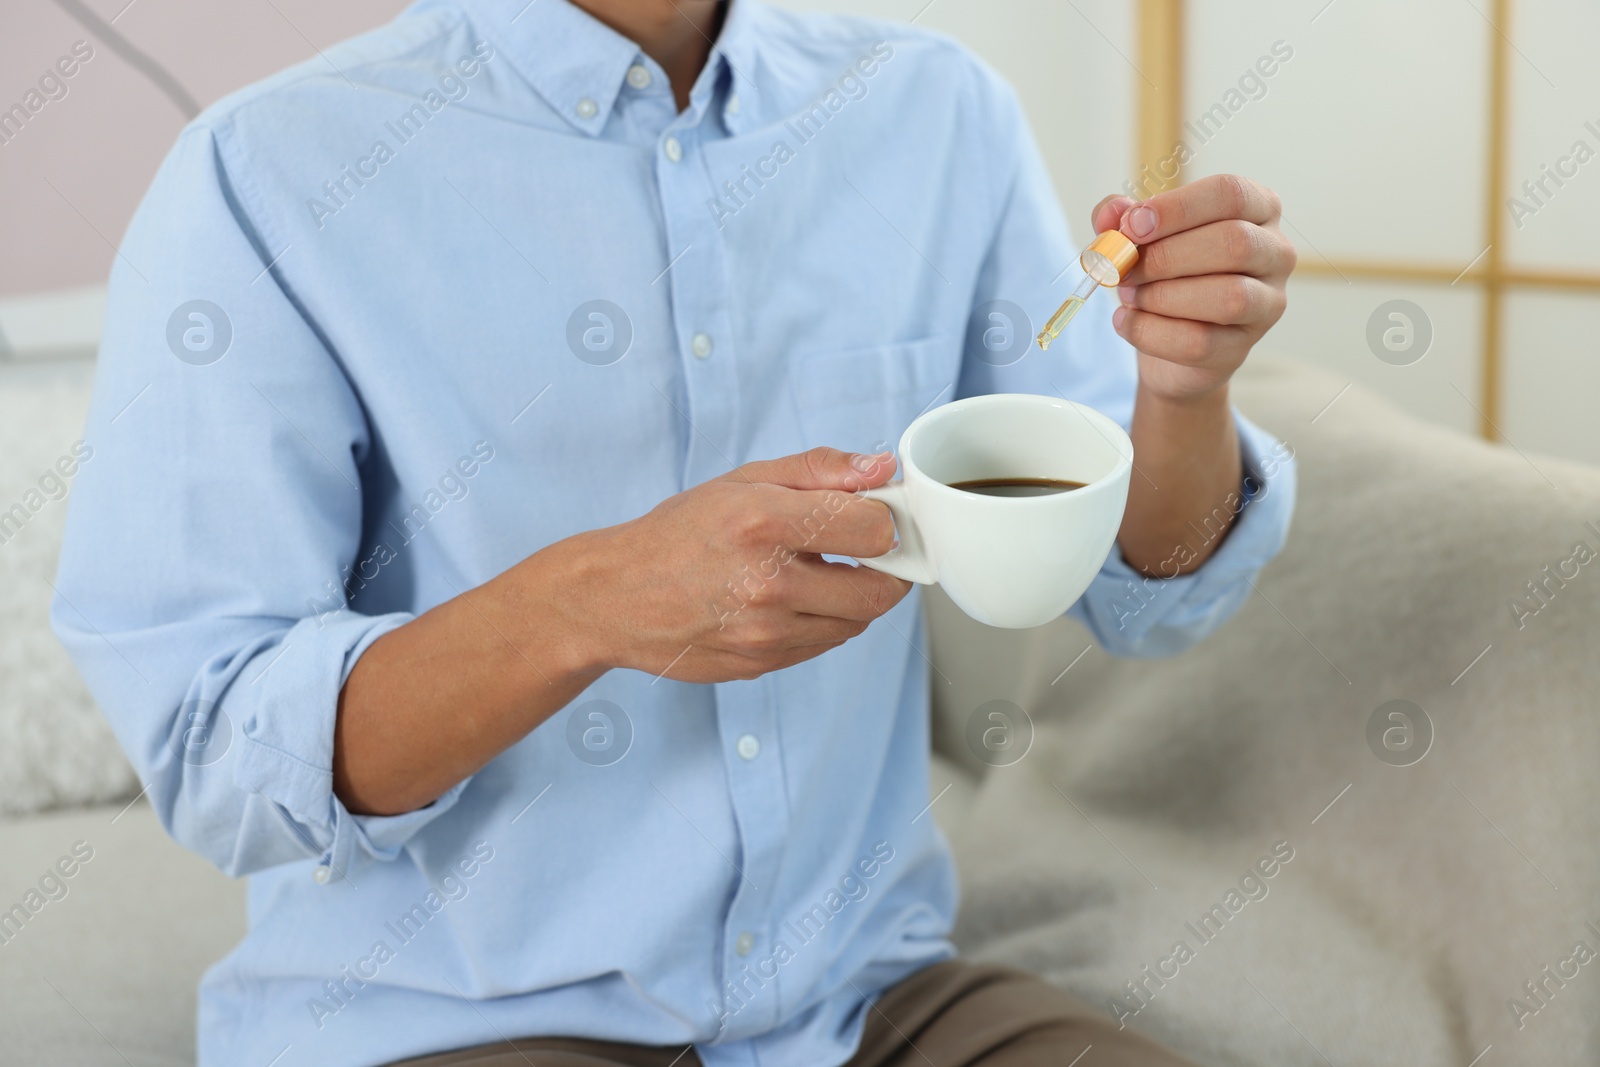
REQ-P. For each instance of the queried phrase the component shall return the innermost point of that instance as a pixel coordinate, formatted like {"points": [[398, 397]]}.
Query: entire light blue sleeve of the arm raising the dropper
{"points": [[1026, 276]]}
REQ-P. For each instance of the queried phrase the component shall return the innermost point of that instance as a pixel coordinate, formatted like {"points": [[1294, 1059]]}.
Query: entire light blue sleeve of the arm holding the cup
{"points": [[212, 533]]}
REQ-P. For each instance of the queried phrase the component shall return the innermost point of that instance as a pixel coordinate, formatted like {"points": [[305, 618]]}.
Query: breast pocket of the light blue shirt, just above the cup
{"points": [[863, 399]]}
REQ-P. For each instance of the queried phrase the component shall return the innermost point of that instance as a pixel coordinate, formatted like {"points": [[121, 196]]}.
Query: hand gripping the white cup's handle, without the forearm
{"points": [[727, 581]]}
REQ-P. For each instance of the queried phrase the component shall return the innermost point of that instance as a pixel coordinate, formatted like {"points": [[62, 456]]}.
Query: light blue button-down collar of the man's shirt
{"points": [[578, 63]]}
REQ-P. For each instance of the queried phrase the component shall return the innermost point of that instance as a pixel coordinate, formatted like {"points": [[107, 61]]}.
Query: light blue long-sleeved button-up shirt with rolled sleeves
{"points": [[356, 364]]}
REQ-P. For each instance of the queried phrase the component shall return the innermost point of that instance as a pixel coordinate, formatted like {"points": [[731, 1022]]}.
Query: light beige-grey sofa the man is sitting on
{"points": [[1361, 825]]}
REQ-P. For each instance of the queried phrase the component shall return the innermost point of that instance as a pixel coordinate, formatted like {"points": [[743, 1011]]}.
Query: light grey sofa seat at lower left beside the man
{"points": [[106, 969]]}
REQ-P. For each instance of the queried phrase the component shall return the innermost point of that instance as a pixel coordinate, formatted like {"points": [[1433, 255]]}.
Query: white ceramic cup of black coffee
{"points": [[1009, 562]]}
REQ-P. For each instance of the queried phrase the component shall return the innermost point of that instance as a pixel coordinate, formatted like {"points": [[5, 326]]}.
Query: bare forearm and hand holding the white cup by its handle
{"points": [[721, 583]]}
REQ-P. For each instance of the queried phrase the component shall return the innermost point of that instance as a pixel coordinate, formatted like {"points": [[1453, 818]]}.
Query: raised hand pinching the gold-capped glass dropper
{"points": [[1210, 282]]}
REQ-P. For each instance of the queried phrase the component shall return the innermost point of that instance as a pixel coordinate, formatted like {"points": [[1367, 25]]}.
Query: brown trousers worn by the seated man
{"points": [[950, 1015]]}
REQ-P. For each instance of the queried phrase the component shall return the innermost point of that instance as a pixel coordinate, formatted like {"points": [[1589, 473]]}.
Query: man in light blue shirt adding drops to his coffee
{"points": [[455, 390]]}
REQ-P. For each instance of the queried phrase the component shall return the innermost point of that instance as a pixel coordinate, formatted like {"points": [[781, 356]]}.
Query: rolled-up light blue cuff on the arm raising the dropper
{"points": [[1135, 615]]}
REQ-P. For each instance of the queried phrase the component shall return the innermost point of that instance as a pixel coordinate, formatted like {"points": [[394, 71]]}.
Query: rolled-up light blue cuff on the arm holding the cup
{"points": [[287, 743]]}
